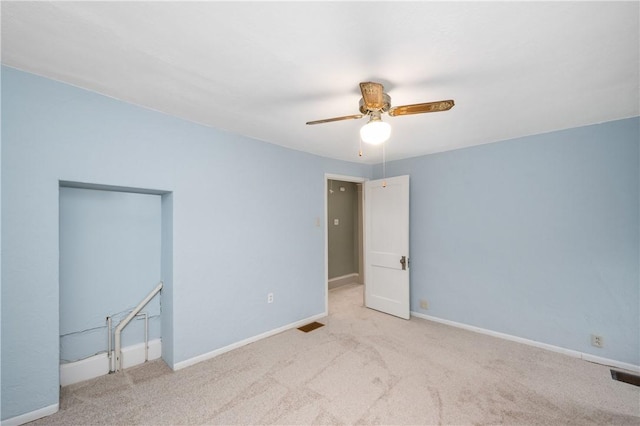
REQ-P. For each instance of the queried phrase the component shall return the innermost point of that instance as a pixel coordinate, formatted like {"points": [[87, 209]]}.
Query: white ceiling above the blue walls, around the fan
{"points": [[263, 69]]}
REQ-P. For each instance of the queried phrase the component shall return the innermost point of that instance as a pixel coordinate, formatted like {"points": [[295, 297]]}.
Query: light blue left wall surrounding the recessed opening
{"points": [[236, 235]]}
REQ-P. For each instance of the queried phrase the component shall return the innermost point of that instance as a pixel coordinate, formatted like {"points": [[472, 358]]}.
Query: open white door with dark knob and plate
{"points": [[387, 245]]}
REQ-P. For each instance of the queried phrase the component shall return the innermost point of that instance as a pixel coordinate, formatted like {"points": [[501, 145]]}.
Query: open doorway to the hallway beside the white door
{"points": [[344, 231]]}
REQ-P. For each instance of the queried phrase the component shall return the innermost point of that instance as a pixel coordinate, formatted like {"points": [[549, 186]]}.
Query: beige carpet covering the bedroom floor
{"points": [[362, 367]]}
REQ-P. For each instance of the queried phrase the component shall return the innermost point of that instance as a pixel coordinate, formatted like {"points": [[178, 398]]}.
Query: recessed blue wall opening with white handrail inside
{"points": [[115, 247]]}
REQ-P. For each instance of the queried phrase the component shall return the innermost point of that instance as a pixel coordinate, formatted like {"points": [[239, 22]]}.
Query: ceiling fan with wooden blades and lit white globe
{"points": [[374, 102]]}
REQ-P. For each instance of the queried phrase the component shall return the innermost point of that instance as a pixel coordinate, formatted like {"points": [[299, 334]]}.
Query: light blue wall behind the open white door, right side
{"points": [[536, 237]]}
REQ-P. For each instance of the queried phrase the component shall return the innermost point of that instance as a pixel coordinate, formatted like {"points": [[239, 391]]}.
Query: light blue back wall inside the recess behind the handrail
{"points": [[110, 250]]}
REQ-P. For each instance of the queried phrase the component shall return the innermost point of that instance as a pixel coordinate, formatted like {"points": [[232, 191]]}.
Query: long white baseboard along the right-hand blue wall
{"points": [[569, 352]]}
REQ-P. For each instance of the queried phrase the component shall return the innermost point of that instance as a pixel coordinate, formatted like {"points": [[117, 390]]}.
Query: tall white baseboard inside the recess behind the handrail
{"points": [[98, 365]]}
